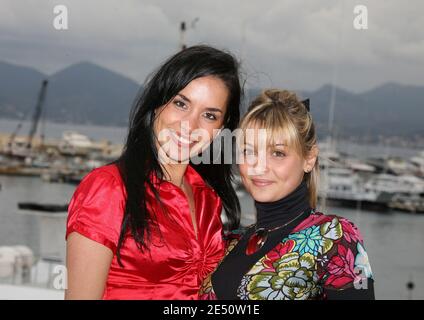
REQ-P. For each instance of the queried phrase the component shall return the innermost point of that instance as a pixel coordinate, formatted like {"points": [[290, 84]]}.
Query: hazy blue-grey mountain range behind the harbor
{"points": [[86, 93]]}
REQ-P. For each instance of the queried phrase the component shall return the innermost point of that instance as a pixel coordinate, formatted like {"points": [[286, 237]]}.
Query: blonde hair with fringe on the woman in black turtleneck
{"points": [[282, 114]]}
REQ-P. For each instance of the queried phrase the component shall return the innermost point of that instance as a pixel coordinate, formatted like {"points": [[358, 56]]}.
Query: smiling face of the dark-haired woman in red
{"points": [[188, 123]]}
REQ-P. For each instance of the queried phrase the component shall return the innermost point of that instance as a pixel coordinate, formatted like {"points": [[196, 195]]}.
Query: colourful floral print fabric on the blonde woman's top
{"points": [[322, 253]]}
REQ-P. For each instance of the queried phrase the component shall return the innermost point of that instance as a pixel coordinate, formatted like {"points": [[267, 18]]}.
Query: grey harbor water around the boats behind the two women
{"points": [[394, 240]]}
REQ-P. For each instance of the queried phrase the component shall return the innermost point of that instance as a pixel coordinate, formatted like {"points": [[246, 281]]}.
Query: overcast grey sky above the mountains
{"points": [[290, 44]]}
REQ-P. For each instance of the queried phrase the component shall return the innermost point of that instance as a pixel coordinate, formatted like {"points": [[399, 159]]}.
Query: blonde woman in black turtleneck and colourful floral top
{"points": [[293, 252]]}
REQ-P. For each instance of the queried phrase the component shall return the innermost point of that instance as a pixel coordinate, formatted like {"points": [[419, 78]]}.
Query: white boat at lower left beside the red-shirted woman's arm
{"points": [[43, 277]]}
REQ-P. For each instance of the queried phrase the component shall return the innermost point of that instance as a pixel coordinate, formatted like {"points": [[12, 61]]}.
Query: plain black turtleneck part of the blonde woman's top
{"points": [[292, 209]]}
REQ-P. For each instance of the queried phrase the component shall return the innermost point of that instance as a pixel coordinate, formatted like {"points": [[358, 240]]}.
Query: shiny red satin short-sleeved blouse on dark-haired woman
{"points": [[178, 262]]}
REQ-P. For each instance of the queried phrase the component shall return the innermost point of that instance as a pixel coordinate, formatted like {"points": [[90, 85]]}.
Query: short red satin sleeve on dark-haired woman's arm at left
{"points": [[97, 208]]}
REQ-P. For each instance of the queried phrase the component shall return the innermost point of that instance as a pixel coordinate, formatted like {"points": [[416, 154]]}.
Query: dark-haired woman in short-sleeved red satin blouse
{"points": [[148, 226]]}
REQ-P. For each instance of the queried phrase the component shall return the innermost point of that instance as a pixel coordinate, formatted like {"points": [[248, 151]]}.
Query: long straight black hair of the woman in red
{"points": [[140, 155]]}
